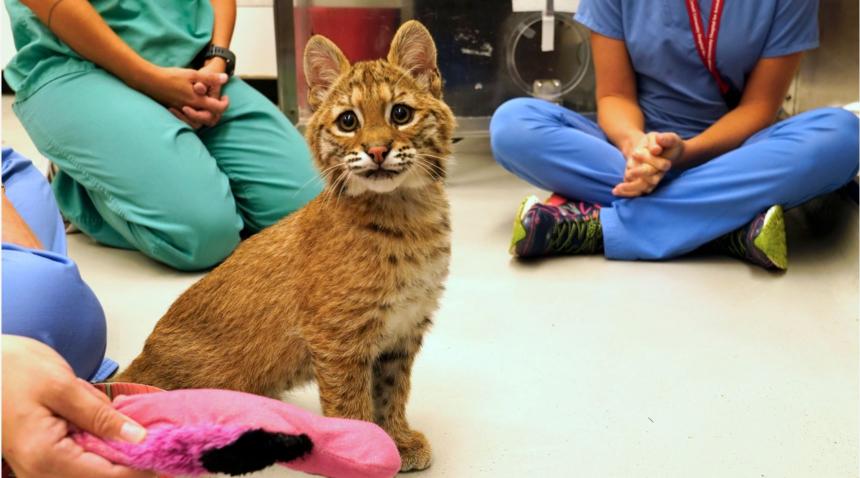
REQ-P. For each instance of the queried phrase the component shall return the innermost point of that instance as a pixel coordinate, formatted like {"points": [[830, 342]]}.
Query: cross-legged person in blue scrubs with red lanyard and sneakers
{"points": [[674, 162]]}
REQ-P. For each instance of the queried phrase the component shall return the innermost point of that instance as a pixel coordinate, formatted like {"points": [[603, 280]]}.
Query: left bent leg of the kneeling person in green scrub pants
{"points": [[132, 175]]}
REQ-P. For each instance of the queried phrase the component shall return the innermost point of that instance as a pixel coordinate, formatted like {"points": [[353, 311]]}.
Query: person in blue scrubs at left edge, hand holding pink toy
{"points": [[53, 343]]}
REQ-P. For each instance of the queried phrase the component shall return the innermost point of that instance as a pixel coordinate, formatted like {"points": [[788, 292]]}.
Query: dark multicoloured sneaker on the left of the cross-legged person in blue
{"points": [[563, 227]]}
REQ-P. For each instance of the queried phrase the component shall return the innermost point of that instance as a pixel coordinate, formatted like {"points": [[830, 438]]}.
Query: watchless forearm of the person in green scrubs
{"points": [[81, 27]]}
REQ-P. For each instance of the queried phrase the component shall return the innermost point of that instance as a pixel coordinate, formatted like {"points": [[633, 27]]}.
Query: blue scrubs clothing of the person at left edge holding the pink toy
{"points": [[44, 297]]}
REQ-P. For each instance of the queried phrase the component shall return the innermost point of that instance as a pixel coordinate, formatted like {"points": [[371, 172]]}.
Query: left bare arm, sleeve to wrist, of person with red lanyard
{"points": [[618, 111]]}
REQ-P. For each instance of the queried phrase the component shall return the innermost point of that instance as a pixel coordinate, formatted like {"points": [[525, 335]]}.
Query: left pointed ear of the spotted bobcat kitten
{"points": [[323, 64]]}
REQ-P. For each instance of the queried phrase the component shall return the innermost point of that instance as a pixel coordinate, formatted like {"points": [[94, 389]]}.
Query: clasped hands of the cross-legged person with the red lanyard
{"points": [[648, 162]]}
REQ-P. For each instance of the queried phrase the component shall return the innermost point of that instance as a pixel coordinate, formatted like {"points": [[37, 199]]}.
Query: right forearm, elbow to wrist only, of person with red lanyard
{"points": [[728, 133]]}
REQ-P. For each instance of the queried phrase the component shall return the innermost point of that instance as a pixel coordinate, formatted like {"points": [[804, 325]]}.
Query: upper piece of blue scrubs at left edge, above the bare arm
{"points": [[30, 193]]}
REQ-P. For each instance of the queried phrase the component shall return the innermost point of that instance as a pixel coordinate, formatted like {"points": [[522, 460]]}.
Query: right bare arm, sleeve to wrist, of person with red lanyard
{"points": [[761, 100]]}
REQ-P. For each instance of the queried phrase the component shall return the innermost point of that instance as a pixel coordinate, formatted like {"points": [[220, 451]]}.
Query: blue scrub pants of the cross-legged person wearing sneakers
{"points": [[788, 163]]}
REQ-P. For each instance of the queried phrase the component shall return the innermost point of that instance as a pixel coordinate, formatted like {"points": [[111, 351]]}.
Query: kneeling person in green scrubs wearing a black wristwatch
{"points": [[156, 151]]}
